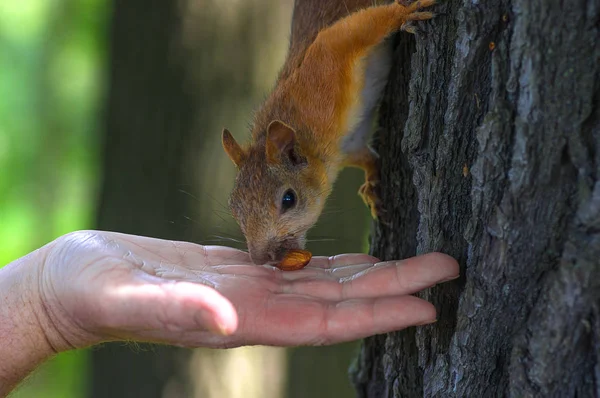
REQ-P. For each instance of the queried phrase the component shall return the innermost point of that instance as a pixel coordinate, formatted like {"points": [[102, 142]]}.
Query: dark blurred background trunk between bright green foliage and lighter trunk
{"points": [[150, 120]]}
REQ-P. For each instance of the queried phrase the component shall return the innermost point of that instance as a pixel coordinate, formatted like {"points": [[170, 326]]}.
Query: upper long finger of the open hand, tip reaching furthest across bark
{"points": [[383, 279]]}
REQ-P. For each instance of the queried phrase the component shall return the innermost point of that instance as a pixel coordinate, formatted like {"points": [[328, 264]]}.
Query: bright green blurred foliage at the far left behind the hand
{"points": [[52, 71]]}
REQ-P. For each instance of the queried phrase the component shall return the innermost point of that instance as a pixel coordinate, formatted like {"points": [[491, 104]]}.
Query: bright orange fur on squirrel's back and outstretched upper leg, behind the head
{"points": [[316, 97]]}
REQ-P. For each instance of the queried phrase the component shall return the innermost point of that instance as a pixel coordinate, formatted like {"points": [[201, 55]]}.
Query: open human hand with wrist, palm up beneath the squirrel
{"points": [[89, 287]]}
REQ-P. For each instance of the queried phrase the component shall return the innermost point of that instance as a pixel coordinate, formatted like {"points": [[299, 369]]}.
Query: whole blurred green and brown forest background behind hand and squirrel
{"points": [[63, 81]]}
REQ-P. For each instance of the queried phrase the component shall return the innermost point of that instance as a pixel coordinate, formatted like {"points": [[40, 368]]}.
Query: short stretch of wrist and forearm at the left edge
{"points": [[23, 340]]}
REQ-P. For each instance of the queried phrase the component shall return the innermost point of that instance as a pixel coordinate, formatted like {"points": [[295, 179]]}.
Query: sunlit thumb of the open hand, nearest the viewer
{"points": [[163, 309]]}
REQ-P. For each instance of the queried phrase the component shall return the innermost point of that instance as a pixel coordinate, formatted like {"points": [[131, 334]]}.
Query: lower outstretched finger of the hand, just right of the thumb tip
{"points": [[295, 320]]}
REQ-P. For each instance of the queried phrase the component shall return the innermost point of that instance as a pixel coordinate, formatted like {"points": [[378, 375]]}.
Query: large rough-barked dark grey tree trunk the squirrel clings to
{"points": [[493, 156]]}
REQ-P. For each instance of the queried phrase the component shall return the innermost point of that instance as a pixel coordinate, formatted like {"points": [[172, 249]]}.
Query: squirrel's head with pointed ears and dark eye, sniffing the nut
{"points": [[278, 194]]}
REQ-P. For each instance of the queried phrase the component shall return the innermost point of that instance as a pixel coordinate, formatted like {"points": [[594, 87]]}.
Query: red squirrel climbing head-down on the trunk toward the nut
{"points": [[316, 121]]}
